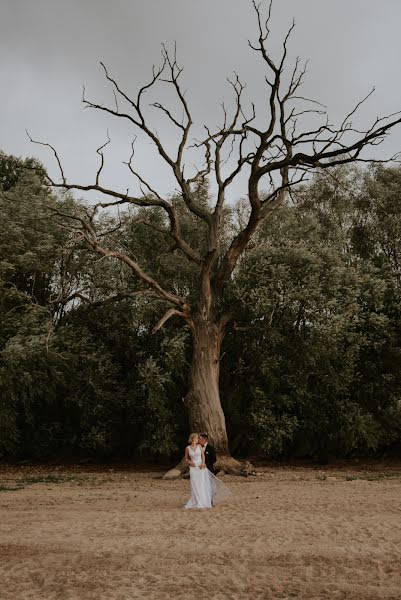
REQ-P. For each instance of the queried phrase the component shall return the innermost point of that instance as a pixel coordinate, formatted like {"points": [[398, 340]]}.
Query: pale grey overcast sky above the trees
{"points": [[49, 49]]}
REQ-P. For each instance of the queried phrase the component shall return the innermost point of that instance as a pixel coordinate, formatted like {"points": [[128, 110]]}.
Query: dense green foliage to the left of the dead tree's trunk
{"points": [[74, 379]]}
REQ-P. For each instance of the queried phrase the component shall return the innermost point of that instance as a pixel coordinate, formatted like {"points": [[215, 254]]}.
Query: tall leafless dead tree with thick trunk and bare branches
{"points": [[277, 155]]}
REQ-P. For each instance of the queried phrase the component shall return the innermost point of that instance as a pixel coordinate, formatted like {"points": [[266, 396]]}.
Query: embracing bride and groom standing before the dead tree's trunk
{"points": [[206, 489]]}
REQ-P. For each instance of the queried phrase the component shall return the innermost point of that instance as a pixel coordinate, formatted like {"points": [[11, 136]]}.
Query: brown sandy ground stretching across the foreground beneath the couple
{"points": [[291, 532]]}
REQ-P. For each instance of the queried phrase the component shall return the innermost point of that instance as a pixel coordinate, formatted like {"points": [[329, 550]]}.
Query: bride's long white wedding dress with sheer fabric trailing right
{"points": [[206, 489]]}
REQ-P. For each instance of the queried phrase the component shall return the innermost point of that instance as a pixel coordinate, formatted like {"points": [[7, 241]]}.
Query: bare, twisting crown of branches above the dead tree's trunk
{"points": [[278, 152]]}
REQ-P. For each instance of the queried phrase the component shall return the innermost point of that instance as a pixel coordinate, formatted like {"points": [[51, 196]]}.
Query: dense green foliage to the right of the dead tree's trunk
{"points": [[322, 360]]}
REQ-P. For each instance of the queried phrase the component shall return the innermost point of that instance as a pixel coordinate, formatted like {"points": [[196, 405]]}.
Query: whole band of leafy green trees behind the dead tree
{"points": [[310, 362]]}
